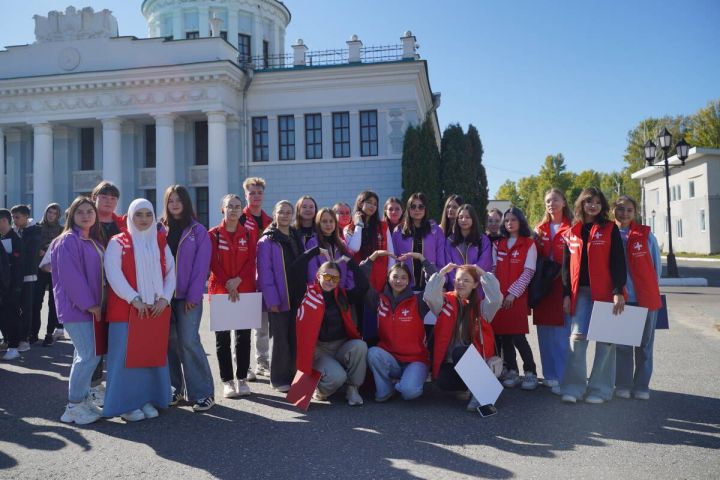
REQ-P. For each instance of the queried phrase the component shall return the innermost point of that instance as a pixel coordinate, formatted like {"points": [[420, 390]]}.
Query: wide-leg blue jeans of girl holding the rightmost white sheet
{"points": [[602, 377]]}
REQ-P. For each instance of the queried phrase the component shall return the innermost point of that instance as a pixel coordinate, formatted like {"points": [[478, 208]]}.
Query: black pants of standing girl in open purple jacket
{"points": [[282, 357]]}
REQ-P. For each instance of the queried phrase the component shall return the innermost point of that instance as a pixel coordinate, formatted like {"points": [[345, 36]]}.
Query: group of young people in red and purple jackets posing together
{"points": [[344, 290]]}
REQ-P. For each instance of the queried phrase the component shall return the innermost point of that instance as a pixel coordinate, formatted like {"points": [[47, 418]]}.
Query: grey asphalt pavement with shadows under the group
{"points": [[676, 434]]}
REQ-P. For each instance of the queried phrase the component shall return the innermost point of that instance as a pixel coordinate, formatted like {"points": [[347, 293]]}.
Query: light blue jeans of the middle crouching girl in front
{"points": [[386, 368]]}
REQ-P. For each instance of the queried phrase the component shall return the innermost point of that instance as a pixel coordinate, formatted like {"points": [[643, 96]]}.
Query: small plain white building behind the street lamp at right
{"points": [[694, 201]]}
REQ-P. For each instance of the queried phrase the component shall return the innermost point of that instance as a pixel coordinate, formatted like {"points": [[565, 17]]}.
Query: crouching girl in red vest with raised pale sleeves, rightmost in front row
{"points": [[462, 319]]}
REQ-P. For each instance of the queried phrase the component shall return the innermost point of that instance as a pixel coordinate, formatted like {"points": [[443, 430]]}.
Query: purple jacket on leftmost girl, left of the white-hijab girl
{"points": [[77, 276]]}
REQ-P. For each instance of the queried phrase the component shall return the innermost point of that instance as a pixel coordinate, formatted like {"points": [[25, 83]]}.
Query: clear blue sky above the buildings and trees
{"points": [[536, 77]]}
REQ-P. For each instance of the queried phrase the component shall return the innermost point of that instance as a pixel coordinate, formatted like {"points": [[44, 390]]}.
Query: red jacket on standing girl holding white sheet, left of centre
{"points": [[233, 255]]}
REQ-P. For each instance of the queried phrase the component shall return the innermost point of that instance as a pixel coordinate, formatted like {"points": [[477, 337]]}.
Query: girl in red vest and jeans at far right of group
{"points": [[644, 269]]}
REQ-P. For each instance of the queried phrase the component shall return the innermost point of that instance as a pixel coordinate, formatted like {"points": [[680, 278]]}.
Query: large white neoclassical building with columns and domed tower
{"points": [[210, 98]]}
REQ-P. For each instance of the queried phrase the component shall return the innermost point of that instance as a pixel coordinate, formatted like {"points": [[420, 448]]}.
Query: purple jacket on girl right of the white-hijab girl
{"points": [[192, 263]]}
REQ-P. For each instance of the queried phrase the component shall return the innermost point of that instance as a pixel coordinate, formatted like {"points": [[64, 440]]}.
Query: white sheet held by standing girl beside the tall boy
{"points": [[244, 314]]}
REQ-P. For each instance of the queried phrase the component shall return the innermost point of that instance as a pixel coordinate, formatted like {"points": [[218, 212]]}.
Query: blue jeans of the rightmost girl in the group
{"points": [[643, 359]]}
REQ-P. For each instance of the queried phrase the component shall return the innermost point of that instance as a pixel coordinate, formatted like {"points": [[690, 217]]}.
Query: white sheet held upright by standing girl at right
{"points": [[623, 329]]}
